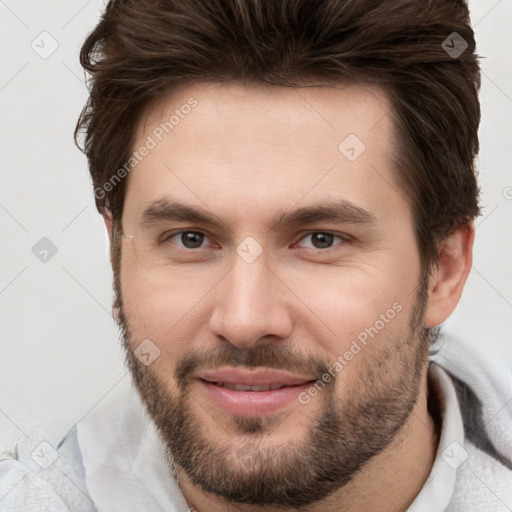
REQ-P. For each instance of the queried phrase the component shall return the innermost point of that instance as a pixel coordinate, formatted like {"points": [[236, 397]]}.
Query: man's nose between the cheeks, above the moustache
{"points": [[251, 303]]}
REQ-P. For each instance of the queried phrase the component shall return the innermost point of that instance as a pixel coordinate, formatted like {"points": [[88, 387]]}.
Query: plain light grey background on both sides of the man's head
{"points": [[60, 353]]}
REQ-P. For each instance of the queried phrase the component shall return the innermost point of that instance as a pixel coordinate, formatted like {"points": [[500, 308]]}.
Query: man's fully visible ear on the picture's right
{"points": [[448, 279]]}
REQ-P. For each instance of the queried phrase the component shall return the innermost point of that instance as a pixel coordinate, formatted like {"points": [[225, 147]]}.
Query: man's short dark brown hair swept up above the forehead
{"points": [[143, 49]]}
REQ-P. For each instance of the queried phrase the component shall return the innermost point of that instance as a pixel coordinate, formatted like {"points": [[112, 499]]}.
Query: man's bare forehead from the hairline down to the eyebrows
{"points": [[258, 146]]}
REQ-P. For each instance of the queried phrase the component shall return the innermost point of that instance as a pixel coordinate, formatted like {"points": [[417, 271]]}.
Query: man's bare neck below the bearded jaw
{"points": [[389, 482]]}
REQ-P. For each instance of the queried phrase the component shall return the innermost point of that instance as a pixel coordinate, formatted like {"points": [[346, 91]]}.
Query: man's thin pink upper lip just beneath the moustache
{"points": [[257, 377]]}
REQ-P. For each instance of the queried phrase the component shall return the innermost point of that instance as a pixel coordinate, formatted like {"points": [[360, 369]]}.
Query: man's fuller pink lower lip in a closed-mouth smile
{"points": [[252, 403]]}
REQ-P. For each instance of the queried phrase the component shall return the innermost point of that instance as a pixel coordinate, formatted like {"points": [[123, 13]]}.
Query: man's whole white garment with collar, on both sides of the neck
{"points": [[114, 461]]}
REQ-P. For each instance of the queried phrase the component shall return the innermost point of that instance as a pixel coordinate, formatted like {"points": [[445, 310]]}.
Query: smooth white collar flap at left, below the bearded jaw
{"points": [[124, 459]]}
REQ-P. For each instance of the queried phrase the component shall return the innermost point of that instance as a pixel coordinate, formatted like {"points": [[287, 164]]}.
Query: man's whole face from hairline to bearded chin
{"points": [[336, 300]]}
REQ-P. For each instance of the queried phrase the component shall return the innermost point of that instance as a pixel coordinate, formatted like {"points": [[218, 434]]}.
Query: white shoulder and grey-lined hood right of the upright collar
{"points": [[483, 386]]}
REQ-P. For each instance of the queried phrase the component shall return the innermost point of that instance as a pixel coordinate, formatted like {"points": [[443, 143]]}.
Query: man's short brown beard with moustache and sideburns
{"points": [[344, 435]]}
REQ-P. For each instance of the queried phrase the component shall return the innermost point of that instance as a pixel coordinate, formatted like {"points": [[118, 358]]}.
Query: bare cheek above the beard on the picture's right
{"points": [[370, 302]]}
